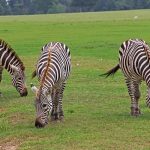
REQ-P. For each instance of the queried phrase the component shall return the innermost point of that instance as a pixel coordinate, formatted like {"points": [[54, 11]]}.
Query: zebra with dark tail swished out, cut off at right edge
{"points": [[134, 61]]}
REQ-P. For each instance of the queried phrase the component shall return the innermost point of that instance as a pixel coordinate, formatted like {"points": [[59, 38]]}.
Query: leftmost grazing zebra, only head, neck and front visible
{"points": [[12, 63]]}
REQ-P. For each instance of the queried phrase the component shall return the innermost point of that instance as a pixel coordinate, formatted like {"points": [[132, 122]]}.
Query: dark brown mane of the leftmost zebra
{"points": [[8, 47]]}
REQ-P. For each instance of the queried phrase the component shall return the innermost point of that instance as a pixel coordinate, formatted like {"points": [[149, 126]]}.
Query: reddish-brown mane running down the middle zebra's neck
{"points": [[43, 78]]}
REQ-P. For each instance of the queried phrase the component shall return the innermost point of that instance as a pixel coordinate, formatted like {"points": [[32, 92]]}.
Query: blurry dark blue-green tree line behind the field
{"points": [[15, 7]]}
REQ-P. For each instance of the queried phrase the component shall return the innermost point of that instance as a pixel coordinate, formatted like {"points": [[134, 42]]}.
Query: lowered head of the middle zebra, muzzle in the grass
{"points": [[43, 106]]}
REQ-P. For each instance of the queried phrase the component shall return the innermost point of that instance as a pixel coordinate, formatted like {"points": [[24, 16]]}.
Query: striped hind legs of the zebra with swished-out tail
{"points": [[133, 90]]}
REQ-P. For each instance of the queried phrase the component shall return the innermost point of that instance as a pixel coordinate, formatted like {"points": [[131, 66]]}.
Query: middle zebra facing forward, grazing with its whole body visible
{"points": [[52, 70]]}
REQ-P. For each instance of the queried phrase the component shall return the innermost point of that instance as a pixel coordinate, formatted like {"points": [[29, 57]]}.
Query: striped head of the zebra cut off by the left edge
{"points": [[18, 80]]}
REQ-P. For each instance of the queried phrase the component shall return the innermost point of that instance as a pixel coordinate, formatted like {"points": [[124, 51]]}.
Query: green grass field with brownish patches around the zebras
{"points": [[97, 110]]}
